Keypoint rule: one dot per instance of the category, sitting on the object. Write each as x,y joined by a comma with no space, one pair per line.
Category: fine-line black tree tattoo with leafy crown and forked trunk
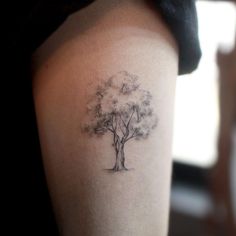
120,107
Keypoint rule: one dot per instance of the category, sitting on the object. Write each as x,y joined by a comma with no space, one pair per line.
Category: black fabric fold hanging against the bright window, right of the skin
181,18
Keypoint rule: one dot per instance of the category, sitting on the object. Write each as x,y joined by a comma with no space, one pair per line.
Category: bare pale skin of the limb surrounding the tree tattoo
92,45
